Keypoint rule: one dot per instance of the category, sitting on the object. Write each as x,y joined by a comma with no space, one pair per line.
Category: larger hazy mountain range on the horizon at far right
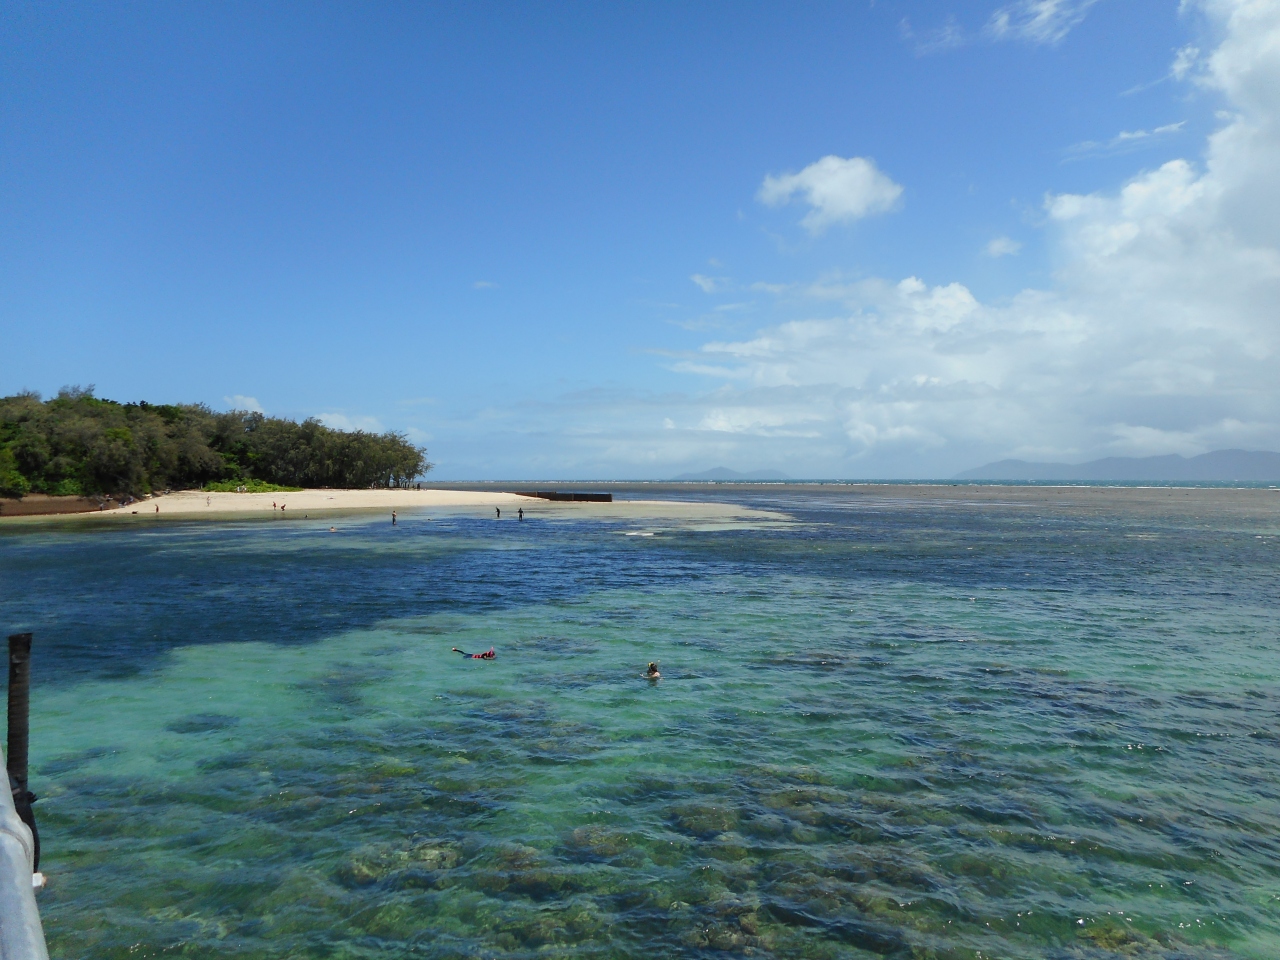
1219,467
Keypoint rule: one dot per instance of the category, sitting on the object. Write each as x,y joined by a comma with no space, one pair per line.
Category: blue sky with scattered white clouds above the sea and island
602,240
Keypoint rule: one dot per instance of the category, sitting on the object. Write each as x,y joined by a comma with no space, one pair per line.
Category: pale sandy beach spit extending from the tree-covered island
198,505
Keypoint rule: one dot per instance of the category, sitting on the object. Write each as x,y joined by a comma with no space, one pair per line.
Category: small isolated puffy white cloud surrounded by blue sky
836,190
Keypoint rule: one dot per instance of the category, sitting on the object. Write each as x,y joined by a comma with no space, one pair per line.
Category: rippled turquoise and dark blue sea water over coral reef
889,729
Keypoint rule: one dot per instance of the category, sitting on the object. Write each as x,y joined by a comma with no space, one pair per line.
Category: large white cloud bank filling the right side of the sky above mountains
1159,333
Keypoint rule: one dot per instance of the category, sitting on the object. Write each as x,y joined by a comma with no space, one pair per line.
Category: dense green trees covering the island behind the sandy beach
80,445
